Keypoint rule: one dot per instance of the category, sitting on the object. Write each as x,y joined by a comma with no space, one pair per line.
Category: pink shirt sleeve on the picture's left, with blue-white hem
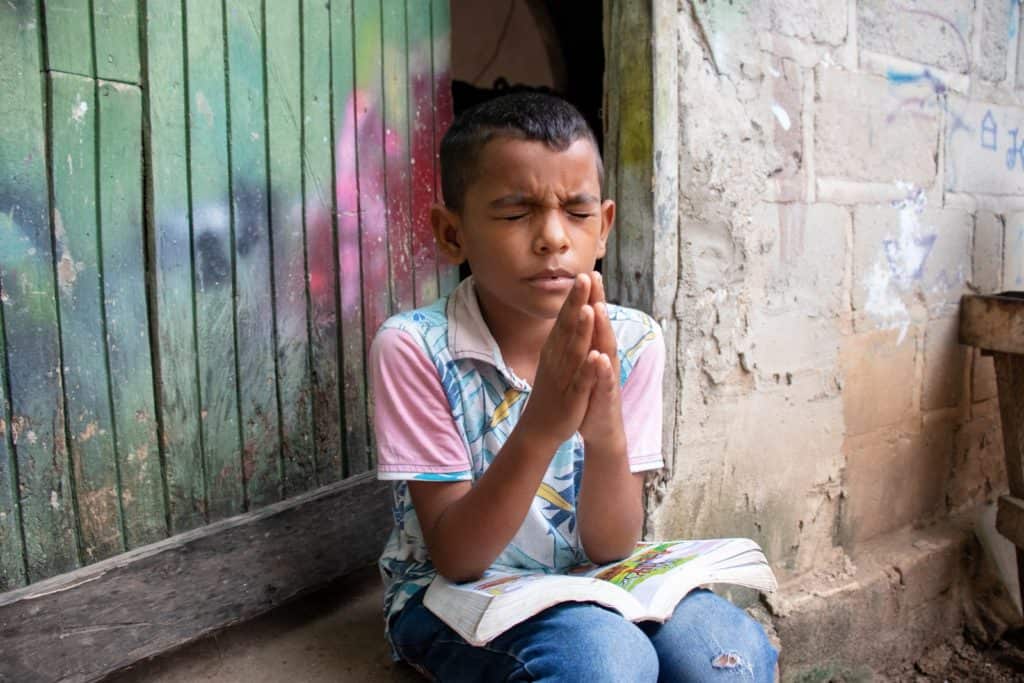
416,437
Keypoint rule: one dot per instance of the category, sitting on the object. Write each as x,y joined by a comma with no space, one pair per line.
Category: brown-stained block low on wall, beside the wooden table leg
979,473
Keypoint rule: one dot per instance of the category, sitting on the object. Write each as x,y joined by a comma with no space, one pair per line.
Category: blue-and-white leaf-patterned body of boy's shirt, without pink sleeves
487,400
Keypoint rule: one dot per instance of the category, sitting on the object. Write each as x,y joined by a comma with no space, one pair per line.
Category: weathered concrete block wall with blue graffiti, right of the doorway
848,170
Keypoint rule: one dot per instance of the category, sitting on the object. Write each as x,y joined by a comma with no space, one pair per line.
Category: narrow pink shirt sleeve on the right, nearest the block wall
643,409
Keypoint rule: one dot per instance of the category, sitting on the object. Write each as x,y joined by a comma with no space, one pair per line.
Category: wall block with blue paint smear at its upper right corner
869,131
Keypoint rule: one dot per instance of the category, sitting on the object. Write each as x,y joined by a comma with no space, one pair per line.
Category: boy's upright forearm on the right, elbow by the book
611,506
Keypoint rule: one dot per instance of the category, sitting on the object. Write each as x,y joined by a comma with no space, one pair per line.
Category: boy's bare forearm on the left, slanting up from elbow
471,532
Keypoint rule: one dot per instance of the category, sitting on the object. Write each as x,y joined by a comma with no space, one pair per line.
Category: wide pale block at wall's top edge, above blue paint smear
932,32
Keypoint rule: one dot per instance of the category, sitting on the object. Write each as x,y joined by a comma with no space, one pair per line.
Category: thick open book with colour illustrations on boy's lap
646,586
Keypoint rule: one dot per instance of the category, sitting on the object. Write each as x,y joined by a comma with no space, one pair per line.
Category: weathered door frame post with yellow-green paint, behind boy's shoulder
643,149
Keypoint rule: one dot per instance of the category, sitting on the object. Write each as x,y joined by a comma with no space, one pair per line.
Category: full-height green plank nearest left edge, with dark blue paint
29,302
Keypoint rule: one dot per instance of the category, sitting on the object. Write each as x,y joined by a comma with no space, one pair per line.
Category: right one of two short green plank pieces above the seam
116,26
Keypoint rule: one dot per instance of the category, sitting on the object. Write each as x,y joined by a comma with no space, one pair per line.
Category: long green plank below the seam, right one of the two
130,361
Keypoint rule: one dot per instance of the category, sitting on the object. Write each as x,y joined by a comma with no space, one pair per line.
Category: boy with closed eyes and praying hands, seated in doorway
518,418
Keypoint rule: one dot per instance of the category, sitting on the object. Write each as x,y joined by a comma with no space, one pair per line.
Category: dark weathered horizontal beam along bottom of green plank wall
86,625
